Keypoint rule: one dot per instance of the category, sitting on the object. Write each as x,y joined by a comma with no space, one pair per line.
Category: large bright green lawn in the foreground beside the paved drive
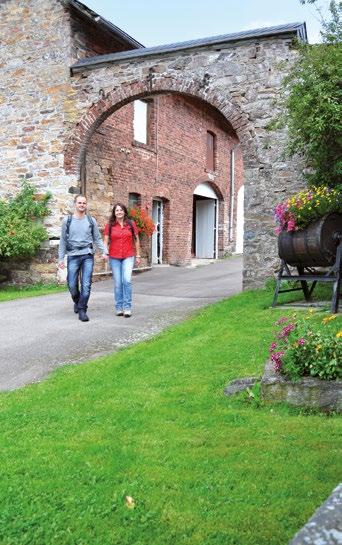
152,422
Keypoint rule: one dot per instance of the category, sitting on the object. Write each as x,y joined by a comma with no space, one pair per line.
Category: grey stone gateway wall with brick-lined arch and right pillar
242,81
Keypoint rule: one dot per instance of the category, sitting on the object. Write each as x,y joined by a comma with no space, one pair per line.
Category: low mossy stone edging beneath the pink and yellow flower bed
307,392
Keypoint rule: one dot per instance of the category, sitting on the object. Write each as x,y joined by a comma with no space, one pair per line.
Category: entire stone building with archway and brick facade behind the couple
178,129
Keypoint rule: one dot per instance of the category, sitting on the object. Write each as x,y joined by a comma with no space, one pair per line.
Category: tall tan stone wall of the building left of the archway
36,99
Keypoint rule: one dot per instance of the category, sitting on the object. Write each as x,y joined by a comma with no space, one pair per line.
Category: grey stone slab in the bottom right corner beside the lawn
325,526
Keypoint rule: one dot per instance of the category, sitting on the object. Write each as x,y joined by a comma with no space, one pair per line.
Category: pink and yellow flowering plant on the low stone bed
304,347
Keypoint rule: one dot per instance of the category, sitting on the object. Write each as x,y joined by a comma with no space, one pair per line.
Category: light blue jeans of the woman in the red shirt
122,274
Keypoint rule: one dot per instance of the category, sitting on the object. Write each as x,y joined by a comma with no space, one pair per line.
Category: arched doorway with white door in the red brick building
205,222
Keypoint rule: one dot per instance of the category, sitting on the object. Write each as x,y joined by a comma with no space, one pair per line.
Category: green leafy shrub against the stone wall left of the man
21,229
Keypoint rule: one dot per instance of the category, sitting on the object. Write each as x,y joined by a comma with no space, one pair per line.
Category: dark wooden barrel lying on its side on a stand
314,246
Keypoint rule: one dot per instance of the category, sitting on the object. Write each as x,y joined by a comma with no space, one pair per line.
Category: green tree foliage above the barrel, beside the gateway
314,104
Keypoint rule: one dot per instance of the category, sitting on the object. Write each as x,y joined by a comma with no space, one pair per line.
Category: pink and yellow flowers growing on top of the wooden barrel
307,206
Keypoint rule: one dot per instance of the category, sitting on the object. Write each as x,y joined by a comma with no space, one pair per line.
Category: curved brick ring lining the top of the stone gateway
77,146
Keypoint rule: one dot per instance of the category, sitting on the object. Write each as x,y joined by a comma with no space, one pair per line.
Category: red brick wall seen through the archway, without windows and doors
170,167
